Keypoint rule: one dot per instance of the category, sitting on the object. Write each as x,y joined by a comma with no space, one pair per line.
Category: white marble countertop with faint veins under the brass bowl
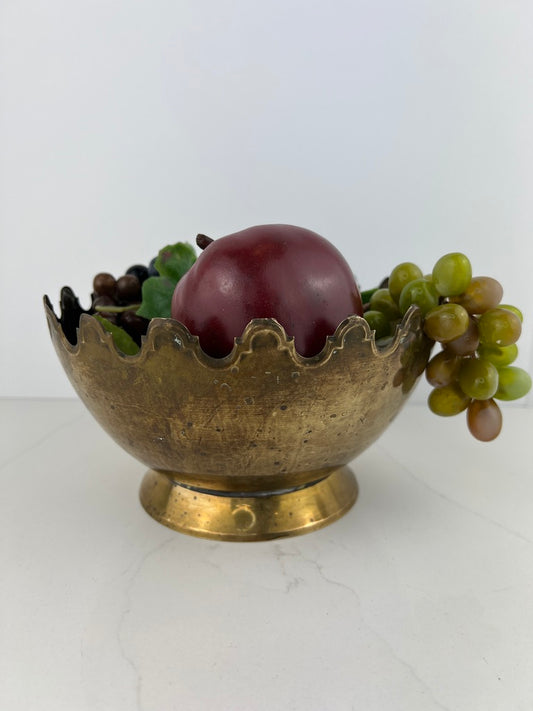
420,598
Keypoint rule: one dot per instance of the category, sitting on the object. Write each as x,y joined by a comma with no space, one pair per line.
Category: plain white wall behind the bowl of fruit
399,129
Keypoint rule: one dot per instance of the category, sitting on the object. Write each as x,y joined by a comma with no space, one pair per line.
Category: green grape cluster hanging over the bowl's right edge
476,332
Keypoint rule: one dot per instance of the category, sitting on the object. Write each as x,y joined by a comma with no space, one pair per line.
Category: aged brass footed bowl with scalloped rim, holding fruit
254,445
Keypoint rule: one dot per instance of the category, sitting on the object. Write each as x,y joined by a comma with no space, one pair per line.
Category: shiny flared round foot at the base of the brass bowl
249,516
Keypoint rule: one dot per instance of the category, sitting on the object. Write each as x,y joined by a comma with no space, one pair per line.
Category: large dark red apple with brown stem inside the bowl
270,271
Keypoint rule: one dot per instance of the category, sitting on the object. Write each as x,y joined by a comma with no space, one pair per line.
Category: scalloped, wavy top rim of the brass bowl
176,332
